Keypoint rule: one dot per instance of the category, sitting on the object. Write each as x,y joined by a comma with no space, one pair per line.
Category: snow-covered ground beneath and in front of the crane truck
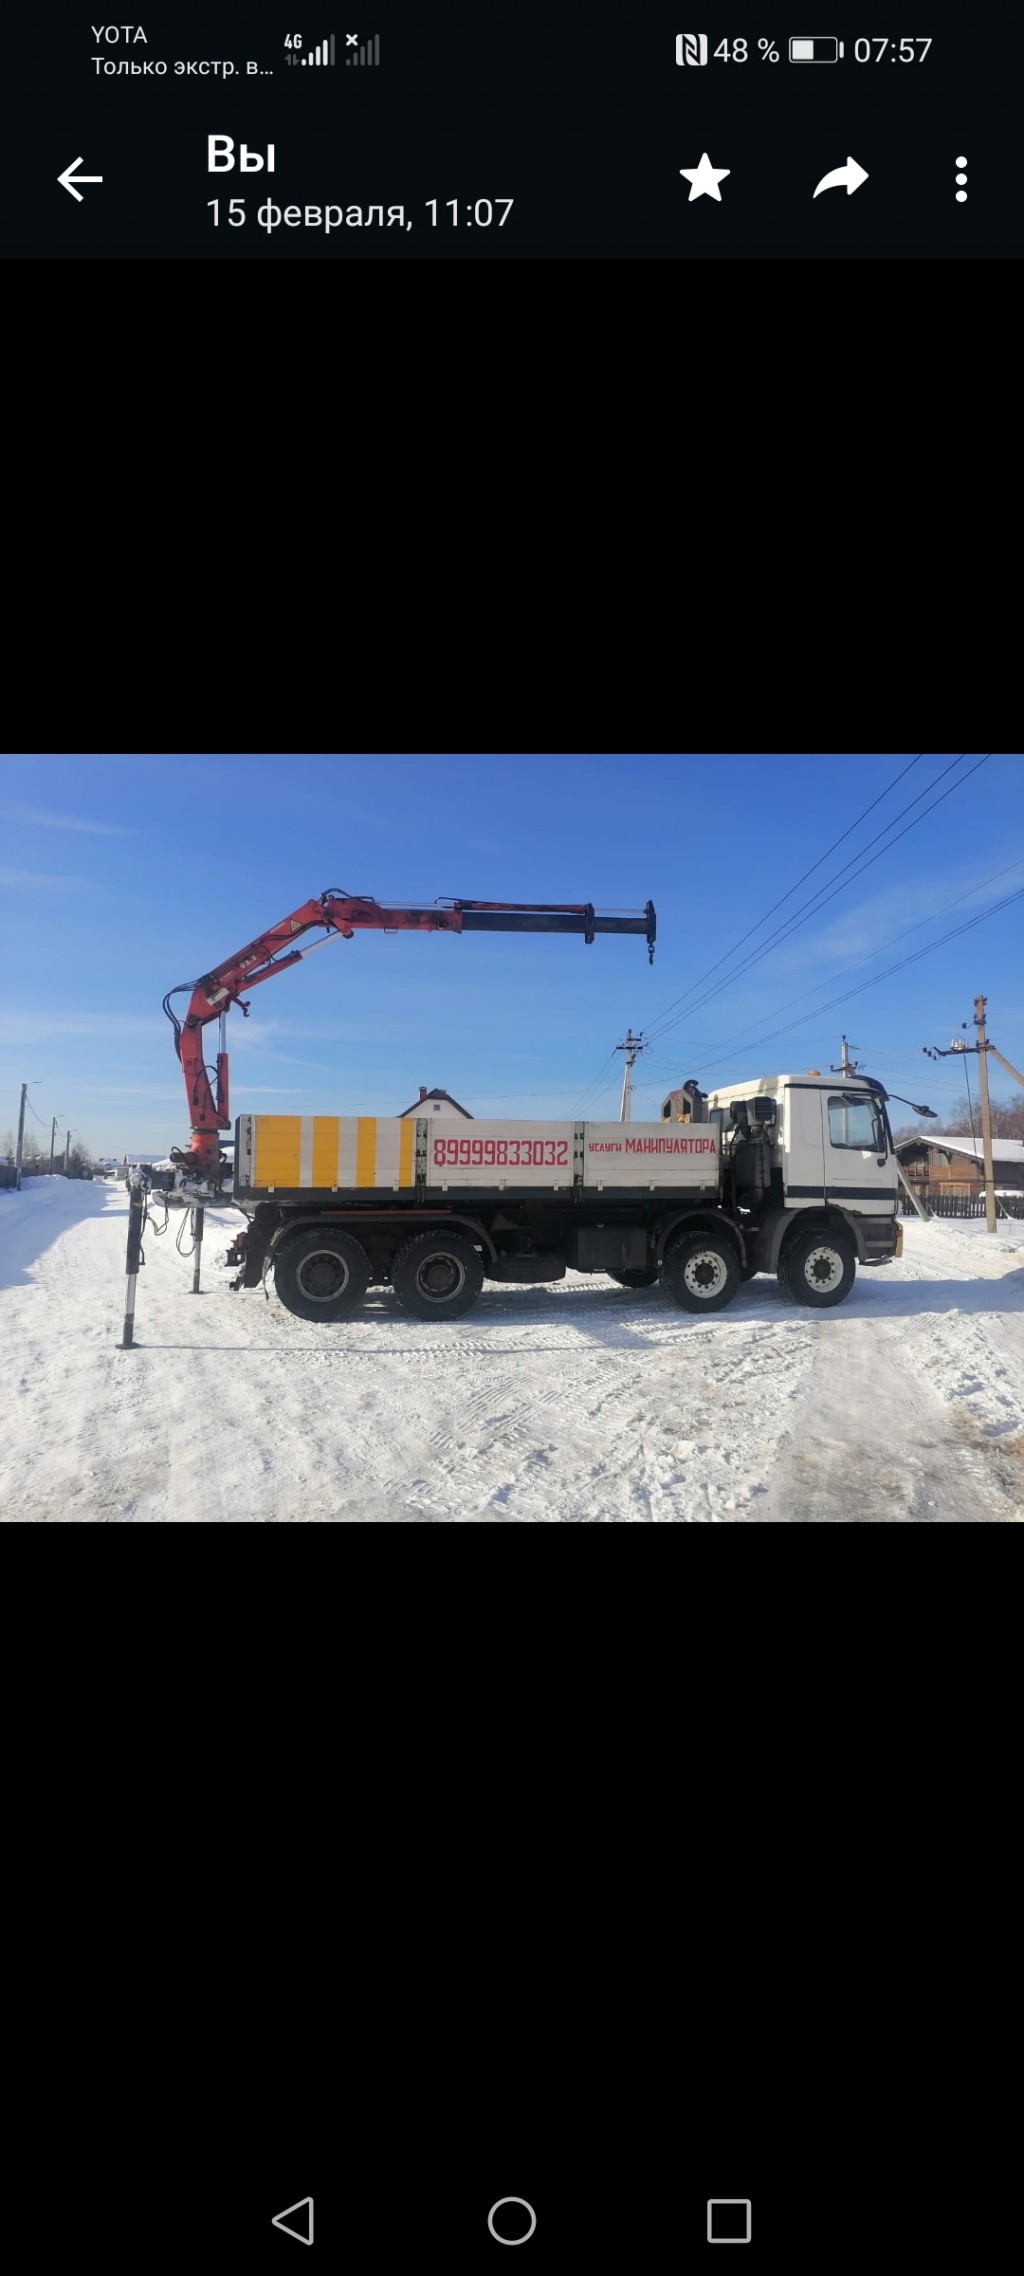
575,1403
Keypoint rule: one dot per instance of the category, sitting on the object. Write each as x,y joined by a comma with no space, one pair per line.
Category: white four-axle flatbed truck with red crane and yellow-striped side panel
791,1176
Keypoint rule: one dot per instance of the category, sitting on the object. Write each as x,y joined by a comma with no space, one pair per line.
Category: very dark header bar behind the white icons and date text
579,115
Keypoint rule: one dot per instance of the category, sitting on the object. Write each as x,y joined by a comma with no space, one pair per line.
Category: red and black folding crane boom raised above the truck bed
338,912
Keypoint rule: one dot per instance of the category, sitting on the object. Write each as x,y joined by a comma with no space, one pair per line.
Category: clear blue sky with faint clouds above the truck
122,877
